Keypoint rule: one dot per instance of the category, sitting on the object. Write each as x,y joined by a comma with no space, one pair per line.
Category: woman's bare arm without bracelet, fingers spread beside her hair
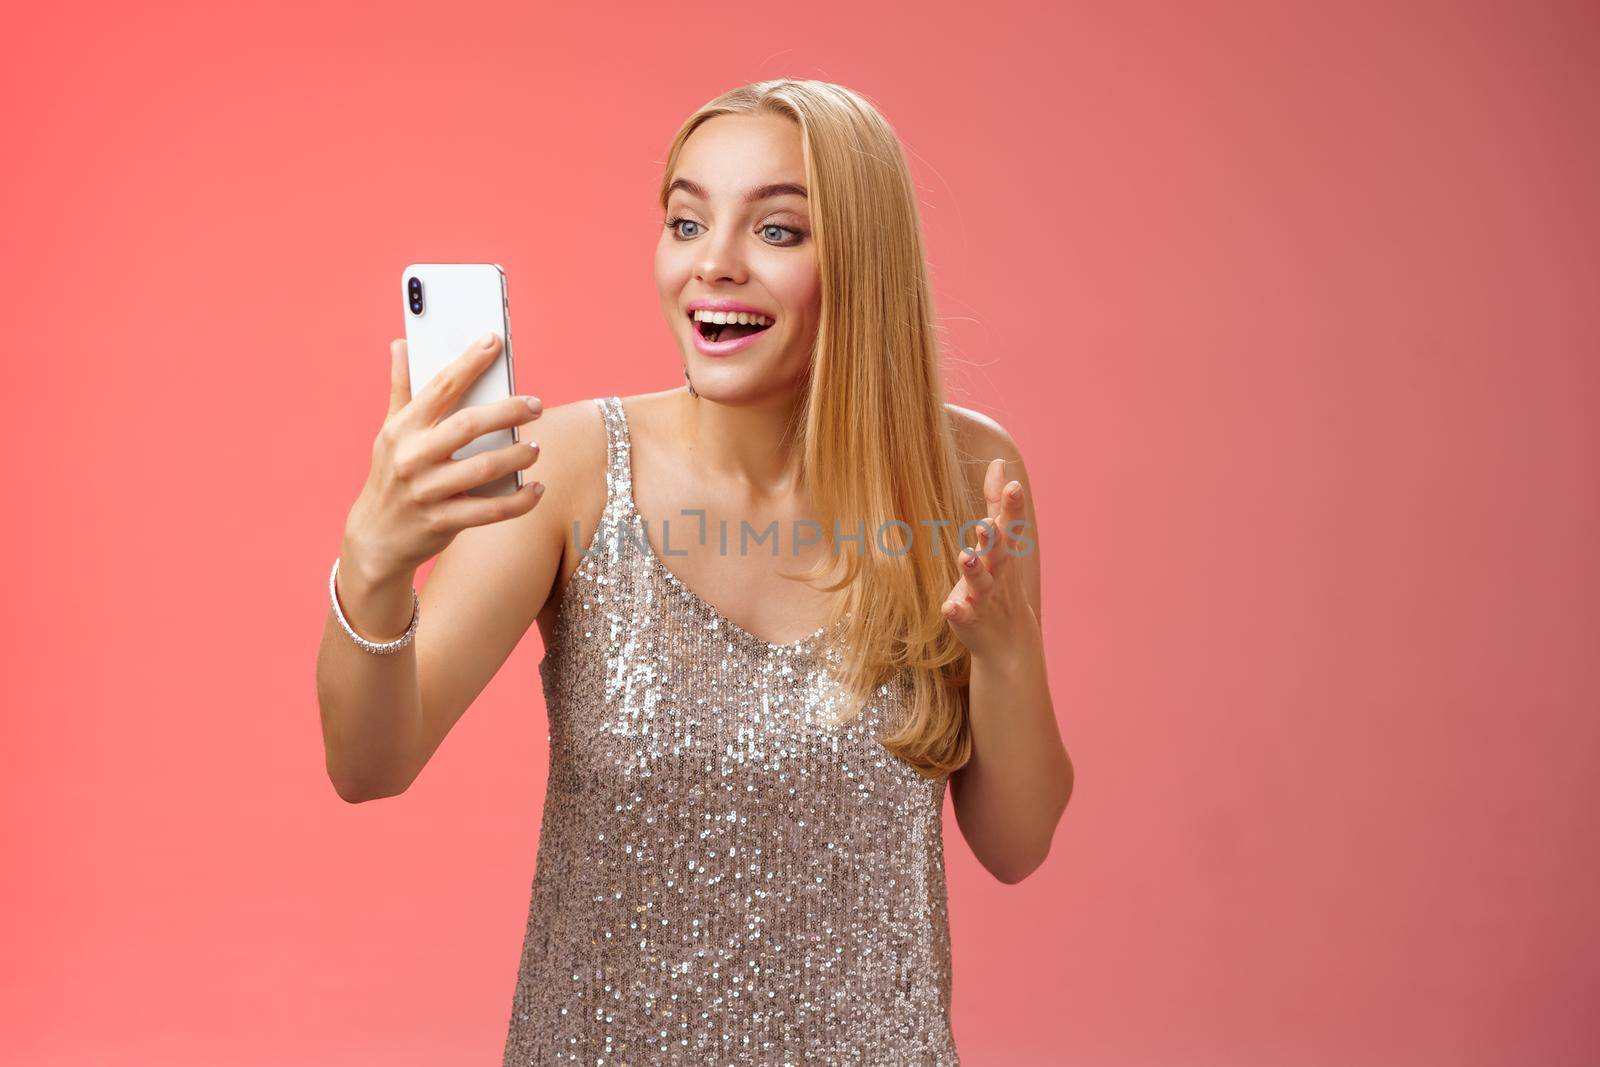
1014,791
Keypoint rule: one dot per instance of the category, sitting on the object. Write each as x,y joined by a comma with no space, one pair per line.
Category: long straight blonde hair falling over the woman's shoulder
878,442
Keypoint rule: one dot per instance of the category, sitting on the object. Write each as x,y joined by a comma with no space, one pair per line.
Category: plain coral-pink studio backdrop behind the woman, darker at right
1292,310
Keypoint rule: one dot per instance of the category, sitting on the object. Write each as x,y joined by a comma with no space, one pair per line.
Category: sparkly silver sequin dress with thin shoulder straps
724,876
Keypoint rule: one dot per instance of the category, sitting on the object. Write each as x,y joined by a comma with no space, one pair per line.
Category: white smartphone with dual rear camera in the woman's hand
449,306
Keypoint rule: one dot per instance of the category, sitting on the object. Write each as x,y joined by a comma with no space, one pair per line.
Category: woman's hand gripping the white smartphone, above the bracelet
415,500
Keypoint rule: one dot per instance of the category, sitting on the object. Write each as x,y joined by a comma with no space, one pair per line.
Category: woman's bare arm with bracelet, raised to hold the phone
383,717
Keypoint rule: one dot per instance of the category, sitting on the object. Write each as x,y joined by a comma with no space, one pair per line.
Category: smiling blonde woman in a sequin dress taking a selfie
767,650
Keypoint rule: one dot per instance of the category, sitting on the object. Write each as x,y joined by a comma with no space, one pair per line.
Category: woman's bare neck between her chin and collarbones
748,446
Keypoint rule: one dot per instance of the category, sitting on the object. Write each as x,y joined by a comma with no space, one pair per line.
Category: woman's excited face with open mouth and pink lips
719,246
